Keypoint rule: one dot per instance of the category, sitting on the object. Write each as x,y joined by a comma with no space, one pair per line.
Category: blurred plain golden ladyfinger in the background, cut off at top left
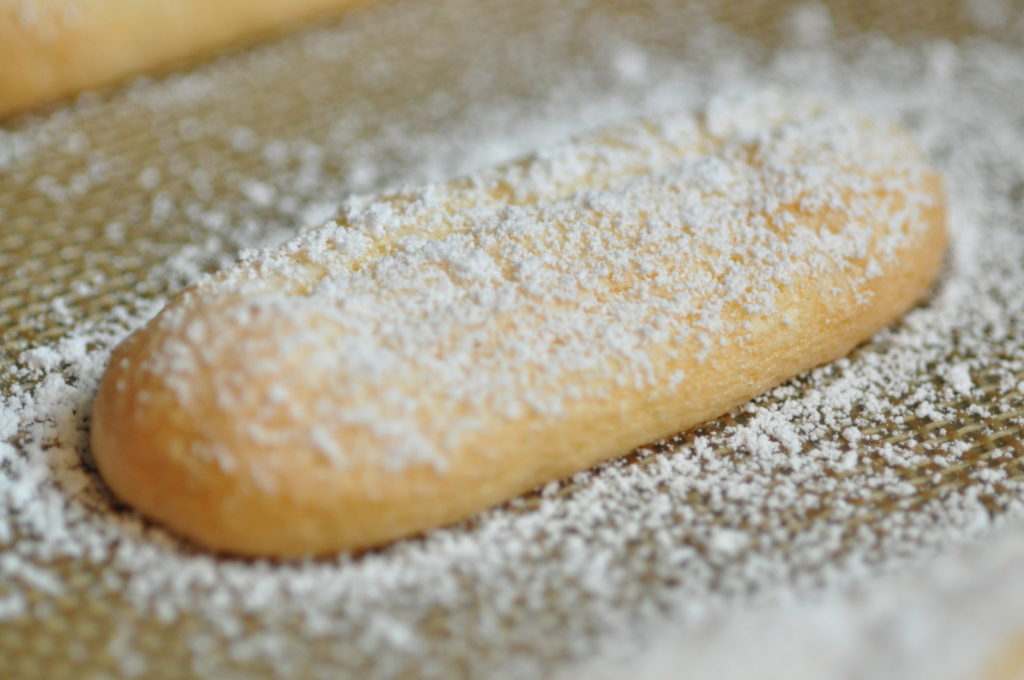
53,49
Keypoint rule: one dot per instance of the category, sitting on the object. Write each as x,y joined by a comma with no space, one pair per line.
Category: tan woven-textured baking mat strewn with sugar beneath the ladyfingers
113,202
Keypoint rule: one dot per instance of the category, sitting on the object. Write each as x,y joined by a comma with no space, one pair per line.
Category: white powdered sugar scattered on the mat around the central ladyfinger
833,480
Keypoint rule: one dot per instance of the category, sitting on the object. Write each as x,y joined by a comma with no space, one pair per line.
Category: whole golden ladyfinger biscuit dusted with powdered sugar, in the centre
433,353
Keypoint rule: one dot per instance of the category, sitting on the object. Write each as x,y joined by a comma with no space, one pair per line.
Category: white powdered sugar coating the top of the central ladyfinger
529,288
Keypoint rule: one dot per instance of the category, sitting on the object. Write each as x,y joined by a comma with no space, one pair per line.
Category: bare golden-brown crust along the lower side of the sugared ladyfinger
191,465
